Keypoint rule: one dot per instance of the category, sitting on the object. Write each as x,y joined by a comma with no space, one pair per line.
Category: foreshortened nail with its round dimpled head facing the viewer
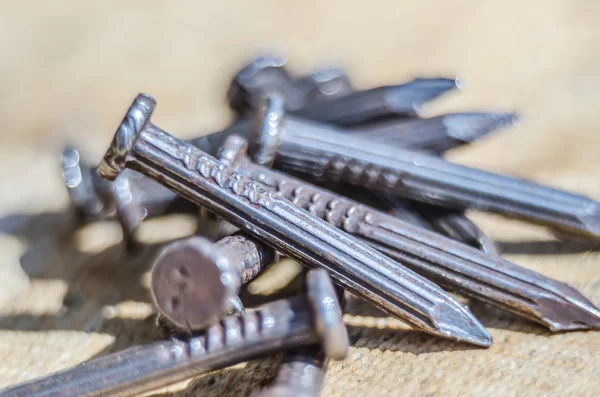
195,281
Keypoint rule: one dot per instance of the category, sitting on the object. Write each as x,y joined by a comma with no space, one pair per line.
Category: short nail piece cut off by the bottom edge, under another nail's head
301,374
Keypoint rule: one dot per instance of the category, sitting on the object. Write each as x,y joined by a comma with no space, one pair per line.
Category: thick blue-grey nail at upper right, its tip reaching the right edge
330,153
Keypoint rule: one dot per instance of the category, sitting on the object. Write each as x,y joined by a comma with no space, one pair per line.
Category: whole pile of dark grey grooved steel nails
349,183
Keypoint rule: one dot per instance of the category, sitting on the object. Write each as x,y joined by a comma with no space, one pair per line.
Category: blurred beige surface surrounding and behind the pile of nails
69,69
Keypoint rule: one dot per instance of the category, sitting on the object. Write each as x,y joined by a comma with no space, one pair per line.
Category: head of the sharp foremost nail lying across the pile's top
134,121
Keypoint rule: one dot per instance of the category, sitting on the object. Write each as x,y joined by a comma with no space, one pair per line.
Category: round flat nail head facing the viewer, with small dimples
192,283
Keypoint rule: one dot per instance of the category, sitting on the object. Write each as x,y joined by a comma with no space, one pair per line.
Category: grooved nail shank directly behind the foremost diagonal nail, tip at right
453,265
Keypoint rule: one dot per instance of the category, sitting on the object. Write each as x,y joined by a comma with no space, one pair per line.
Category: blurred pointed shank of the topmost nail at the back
360,106
